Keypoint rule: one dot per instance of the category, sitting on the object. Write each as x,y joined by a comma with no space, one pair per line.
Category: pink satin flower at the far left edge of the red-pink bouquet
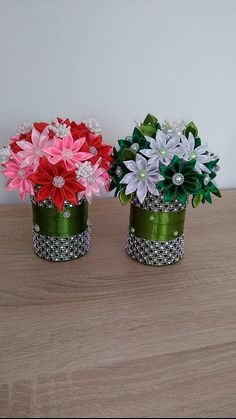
18,176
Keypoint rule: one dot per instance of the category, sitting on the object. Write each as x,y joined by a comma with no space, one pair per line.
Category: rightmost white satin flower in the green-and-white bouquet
199,153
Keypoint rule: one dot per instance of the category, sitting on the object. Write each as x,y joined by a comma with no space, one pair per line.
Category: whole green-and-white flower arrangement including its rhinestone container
157,169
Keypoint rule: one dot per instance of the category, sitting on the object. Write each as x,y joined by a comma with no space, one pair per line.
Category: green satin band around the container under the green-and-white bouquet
157,226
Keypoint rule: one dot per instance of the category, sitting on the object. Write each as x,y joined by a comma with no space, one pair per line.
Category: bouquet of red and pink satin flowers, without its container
61,160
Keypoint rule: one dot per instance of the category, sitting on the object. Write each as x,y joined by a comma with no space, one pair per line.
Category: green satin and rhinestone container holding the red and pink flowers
61,236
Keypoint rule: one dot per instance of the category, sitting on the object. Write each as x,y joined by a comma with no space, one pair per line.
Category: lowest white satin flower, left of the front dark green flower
142,178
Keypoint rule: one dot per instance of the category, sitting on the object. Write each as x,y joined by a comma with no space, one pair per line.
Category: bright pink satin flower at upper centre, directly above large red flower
67,149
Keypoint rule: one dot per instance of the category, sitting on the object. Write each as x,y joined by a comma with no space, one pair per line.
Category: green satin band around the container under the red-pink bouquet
53,223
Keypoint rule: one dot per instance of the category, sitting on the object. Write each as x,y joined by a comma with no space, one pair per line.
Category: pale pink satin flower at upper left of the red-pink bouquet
32,152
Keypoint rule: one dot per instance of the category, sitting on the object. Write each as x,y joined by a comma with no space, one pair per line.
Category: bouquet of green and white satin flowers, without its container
170,160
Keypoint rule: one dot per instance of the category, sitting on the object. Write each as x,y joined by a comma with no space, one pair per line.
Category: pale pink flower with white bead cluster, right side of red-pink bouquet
93,178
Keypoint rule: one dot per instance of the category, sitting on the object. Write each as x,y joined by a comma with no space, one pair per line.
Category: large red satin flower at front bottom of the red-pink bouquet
56,183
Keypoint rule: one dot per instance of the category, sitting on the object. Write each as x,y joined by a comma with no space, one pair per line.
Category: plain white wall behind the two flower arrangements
119,60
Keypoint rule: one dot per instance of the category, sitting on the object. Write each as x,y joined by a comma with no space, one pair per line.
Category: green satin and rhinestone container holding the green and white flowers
156,231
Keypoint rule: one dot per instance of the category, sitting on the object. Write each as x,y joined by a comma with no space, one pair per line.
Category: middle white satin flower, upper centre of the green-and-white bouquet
162,149
